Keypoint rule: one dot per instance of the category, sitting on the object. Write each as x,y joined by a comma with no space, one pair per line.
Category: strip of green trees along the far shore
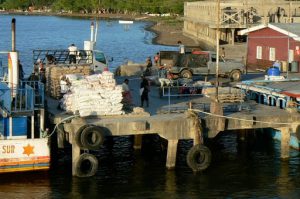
88,6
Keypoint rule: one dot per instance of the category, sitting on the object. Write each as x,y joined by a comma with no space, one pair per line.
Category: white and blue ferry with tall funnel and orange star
24,146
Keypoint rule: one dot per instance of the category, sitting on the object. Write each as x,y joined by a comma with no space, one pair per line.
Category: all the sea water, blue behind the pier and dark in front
249,169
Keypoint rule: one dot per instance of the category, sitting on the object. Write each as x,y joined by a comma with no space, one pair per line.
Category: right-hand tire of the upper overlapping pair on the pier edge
92,137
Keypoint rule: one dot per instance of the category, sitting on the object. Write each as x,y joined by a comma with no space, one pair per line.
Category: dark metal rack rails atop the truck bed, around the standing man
62,56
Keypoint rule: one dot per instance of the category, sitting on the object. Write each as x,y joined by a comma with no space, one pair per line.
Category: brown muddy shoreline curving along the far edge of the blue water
167,34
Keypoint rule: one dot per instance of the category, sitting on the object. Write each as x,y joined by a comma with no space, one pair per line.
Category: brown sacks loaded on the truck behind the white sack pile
54,74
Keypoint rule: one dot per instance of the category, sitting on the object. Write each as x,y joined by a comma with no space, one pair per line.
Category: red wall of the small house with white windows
268,38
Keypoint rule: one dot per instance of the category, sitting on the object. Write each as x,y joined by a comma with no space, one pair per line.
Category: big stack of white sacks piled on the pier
93,95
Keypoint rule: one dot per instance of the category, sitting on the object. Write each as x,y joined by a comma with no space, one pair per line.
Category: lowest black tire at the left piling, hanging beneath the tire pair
86,165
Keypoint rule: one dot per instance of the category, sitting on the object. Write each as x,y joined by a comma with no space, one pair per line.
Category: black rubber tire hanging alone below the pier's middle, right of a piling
198,158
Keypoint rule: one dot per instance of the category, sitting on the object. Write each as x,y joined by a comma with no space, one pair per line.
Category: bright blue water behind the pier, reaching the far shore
43,32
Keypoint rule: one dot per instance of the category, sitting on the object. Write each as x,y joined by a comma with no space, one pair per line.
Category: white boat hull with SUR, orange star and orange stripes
24,155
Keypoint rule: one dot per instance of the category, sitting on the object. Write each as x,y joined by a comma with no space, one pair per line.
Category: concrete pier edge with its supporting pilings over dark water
204,117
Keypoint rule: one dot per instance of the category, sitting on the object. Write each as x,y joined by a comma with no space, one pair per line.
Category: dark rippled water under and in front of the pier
248,169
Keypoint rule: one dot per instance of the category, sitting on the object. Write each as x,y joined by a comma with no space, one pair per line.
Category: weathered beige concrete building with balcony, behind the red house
200,18
